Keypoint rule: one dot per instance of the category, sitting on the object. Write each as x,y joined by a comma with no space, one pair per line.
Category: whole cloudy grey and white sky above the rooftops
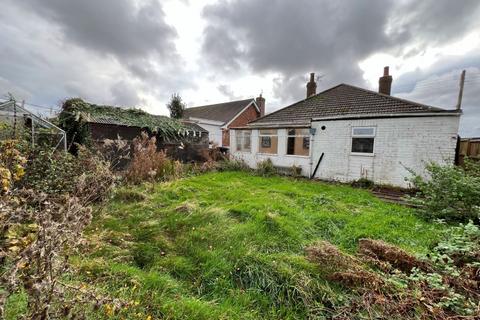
139,52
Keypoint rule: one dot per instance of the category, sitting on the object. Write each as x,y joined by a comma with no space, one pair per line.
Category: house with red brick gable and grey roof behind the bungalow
218,118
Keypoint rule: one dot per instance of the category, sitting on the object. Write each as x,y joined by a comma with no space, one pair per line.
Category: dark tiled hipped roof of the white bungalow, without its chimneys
343,100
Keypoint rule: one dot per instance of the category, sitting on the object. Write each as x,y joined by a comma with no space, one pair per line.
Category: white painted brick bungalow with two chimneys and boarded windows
346,133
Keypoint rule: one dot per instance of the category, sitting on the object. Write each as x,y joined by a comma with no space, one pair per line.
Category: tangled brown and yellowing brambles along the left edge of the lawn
42,218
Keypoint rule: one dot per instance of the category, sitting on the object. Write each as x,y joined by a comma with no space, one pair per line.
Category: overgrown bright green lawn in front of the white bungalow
231,245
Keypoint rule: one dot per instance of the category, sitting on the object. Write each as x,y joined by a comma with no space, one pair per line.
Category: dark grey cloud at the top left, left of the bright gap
117,27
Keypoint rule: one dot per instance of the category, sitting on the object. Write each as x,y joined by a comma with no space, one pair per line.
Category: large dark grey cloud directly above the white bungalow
298,36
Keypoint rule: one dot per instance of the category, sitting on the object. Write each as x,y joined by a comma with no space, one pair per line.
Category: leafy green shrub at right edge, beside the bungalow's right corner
449,193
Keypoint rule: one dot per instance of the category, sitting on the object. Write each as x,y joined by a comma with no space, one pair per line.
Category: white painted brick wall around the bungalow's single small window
400,144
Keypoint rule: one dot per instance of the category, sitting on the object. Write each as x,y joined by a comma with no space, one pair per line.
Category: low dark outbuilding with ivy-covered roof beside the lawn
92,125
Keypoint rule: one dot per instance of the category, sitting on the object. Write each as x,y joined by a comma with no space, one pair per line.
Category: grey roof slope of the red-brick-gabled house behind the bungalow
222,112
